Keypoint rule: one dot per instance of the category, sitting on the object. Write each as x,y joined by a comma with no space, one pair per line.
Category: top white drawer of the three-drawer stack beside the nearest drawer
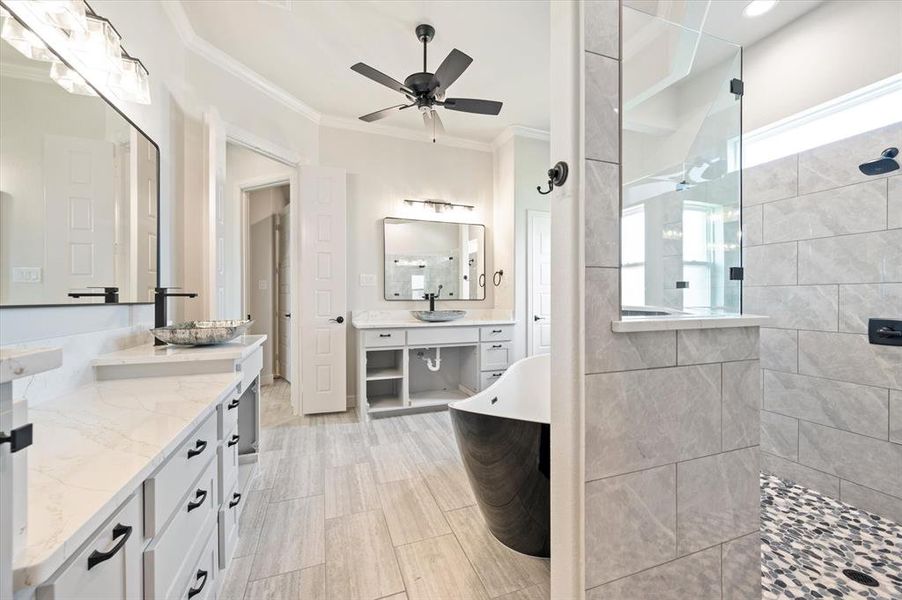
164,489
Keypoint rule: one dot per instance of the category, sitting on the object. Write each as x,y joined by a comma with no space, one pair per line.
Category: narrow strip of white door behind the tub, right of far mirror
539,282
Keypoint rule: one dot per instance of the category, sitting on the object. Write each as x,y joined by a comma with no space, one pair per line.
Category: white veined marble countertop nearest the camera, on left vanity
93,447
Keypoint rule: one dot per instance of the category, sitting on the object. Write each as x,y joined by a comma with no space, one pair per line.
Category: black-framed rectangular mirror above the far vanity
421,256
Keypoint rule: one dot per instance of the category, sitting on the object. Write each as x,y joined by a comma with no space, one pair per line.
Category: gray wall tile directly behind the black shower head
836,164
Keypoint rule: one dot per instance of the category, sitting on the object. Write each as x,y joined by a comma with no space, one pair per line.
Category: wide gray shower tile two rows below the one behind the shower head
860,258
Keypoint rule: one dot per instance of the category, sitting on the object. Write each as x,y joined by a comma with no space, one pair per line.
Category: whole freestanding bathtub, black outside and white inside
503,434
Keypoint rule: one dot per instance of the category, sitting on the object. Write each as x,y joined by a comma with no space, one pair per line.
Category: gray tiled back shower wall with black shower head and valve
823,250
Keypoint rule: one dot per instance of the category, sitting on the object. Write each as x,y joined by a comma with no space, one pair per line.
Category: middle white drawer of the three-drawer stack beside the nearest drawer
179,545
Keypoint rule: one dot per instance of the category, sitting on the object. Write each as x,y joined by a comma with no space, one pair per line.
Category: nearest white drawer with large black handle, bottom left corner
108,566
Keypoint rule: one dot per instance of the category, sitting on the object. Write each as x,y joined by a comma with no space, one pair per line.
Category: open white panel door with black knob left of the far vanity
323,289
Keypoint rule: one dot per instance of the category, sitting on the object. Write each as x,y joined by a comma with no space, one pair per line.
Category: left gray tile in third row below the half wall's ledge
630,523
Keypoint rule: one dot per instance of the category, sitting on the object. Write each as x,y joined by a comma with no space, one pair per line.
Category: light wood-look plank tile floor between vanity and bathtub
342,509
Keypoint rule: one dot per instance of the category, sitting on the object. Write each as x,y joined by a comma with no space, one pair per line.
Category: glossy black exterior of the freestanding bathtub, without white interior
508,464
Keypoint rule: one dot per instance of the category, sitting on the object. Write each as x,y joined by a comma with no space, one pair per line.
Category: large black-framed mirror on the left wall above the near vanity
79,188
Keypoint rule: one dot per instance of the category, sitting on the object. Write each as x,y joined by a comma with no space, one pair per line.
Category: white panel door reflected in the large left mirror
79,198
